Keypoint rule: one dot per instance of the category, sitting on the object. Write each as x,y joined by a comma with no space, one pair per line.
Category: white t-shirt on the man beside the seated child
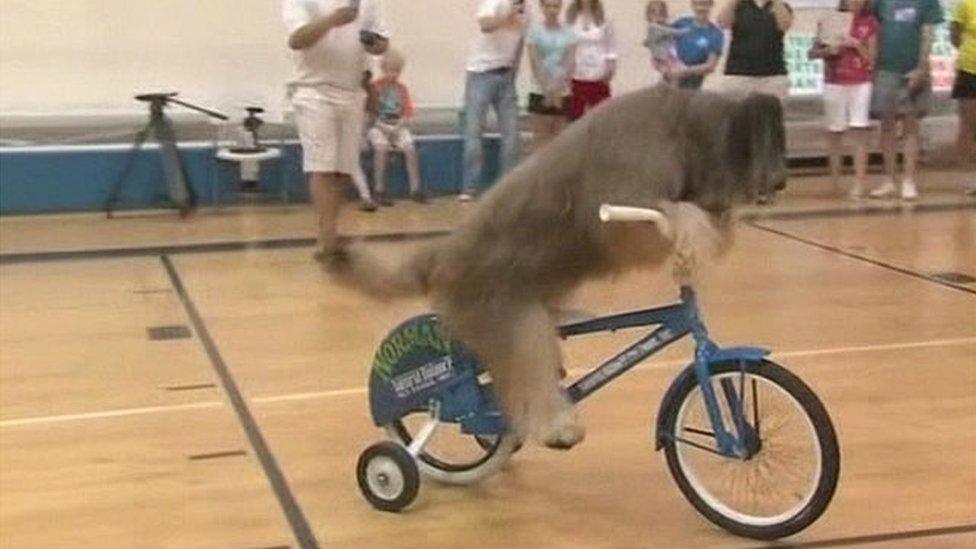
335,63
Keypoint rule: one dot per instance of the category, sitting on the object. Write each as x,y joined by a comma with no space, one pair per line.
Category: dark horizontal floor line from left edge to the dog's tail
208,247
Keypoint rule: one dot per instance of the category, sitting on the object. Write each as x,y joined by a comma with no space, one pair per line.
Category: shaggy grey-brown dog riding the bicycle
536,235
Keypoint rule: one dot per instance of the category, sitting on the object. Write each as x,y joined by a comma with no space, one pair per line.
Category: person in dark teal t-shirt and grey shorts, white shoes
902,85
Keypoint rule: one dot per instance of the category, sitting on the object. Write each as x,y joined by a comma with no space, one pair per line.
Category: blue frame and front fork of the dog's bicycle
675,322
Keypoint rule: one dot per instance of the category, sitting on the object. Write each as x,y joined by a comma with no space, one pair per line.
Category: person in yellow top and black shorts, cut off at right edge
962,33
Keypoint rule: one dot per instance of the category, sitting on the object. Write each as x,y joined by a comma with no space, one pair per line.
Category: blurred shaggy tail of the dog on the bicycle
404,273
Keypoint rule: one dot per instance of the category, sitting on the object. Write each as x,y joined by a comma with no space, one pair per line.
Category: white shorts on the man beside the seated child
330,129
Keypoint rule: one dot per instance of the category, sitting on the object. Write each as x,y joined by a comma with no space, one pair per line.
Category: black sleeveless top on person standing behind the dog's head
757,42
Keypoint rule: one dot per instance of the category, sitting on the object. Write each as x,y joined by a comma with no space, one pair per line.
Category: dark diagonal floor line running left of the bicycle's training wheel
296,518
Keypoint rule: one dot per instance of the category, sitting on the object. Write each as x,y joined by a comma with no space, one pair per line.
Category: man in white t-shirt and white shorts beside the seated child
330,40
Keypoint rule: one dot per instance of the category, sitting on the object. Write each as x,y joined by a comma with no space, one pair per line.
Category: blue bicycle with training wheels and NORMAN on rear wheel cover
748,443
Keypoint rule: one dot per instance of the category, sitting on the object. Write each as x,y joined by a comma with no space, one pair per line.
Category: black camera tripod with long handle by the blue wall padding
180,191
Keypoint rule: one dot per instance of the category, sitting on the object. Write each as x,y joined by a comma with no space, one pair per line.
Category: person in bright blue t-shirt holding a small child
700,47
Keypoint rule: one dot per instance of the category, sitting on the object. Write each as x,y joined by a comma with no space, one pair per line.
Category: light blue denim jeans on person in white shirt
481,90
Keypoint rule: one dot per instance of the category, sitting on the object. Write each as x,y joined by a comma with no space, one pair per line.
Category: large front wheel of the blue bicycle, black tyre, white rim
789,473
